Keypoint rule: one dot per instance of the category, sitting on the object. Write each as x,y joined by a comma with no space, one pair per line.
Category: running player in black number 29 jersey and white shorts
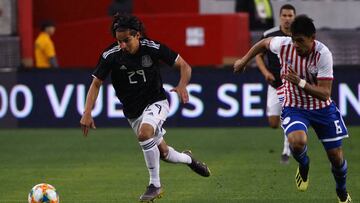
133,63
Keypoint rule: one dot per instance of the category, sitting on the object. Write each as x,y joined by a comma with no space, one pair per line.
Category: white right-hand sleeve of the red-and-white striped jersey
325,66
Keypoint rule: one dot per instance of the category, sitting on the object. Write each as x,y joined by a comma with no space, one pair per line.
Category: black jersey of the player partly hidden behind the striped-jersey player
273,63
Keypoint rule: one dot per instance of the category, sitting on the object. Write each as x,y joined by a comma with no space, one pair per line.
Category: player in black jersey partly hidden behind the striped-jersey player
271,72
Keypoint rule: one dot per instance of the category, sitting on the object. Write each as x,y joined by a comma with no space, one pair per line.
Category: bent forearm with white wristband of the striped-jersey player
322,90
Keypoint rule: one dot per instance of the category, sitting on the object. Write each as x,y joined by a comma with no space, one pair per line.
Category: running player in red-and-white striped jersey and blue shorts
307,74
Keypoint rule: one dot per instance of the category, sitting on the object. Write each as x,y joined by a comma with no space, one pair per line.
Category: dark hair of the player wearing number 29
124,22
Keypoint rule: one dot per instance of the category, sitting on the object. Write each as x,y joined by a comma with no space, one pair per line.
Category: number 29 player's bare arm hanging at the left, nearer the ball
87,121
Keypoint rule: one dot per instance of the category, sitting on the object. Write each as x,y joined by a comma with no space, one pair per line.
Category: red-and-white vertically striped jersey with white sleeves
316,66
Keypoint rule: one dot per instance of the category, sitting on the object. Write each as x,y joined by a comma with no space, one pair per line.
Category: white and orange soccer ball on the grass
43,193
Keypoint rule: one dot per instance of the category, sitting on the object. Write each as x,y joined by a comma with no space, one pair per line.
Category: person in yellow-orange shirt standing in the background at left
45,56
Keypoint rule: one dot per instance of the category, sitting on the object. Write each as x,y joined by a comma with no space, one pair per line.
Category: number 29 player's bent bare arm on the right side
185,75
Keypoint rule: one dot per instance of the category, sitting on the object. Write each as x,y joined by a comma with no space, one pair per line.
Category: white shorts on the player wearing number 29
154,115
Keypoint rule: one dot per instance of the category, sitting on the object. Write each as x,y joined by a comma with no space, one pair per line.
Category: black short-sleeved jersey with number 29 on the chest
136,78
